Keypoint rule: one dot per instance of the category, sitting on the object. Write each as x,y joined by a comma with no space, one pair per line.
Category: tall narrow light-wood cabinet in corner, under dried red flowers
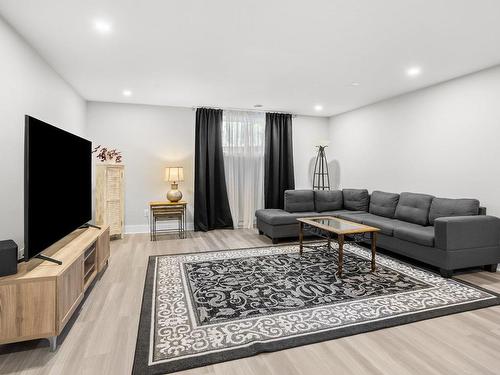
109,207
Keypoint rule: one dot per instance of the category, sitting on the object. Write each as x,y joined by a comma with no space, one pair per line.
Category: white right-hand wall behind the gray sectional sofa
443,140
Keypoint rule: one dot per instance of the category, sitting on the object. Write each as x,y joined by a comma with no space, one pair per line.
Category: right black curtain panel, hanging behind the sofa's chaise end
278,169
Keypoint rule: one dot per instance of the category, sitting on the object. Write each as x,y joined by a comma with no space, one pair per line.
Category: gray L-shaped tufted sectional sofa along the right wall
447,233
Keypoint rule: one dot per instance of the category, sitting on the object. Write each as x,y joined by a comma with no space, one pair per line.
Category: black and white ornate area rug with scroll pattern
203,308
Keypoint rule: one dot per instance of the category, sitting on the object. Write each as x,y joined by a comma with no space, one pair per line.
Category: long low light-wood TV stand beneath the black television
40,299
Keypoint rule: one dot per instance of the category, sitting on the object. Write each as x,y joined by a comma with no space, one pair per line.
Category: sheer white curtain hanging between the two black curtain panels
243,146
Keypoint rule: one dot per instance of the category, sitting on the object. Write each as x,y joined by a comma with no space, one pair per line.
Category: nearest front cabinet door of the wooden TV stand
69,291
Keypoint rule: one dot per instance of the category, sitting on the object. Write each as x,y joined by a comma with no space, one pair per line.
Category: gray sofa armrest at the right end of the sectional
463,232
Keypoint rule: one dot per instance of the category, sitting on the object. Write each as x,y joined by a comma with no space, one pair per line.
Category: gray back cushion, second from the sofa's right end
414,208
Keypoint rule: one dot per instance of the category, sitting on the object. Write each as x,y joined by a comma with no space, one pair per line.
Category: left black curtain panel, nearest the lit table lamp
211,205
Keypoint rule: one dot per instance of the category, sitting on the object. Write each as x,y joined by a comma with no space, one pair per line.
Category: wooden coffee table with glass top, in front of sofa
326,225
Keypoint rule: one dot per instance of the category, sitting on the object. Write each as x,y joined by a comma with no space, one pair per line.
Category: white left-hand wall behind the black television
27,86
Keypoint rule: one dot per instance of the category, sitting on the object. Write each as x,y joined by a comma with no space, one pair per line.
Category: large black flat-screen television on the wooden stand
57,185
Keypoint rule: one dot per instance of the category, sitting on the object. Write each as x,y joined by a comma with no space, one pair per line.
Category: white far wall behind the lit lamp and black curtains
153,137
